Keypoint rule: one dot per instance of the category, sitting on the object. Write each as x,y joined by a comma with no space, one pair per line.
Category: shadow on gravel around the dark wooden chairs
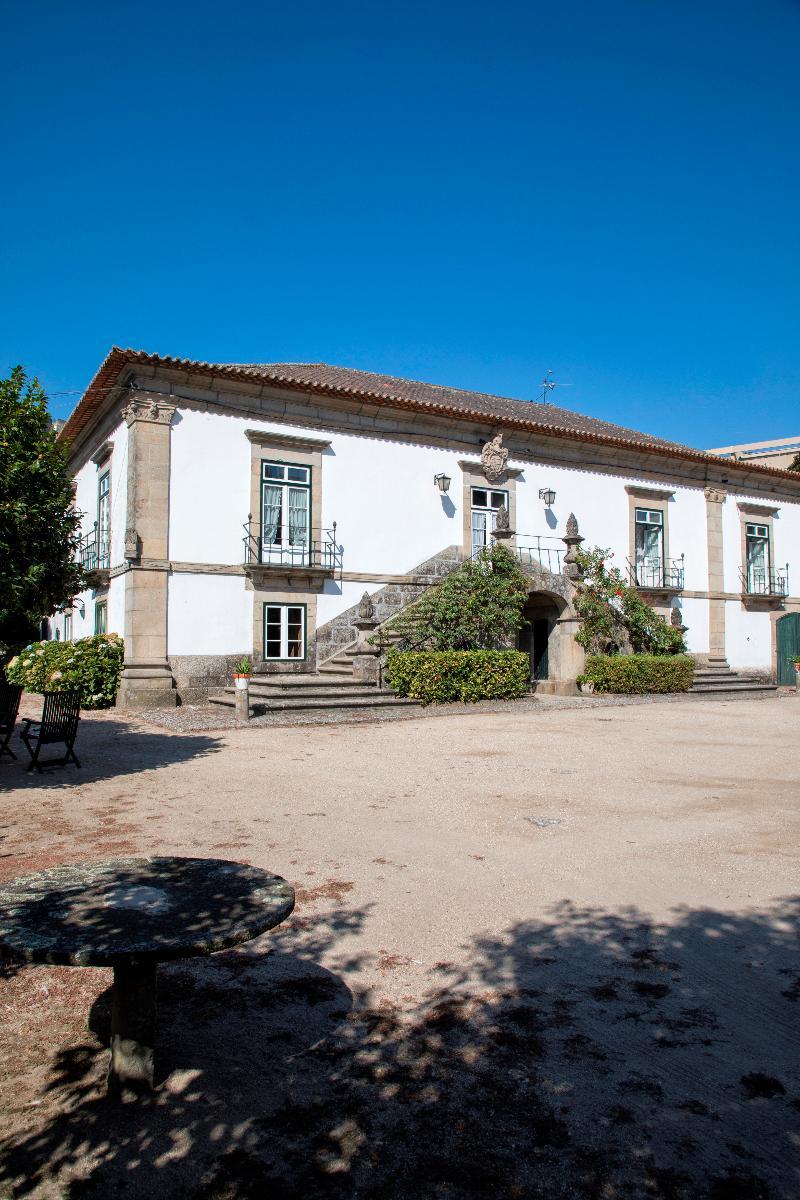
107,748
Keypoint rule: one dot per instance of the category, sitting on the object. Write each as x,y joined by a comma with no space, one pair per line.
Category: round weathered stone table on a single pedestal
130,915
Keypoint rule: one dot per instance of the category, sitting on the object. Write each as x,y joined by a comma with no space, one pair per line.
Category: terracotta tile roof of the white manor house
502,412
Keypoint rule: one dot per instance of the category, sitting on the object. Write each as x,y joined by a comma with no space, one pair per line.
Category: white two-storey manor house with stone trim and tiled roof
245,509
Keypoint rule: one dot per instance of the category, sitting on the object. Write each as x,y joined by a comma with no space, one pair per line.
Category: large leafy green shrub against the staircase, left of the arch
477,608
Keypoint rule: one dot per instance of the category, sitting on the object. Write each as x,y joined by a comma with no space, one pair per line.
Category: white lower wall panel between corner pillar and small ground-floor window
209,615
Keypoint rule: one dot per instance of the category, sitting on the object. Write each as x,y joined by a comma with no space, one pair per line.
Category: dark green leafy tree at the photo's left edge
39,527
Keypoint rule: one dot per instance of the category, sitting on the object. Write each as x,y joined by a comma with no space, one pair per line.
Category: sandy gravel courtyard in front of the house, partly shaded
537,952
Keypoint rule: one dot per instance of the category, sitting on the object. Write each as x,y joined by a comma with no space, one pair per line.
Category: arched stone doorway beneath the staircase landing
549,639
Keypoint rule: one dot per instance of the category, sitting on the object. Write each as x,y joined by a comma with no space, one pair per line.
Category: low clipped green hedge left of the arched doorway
437,677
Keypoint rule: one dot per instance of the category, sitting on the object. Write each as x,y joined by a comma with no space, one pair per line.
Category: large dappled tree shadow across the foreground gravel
592,1055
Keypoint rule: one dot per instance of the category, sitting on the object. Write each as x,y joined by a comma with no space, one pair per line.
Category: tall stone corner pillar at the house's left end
147,676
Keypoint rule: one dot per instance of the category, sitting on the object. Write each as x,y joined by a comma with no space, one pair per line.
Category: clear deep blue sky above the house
468,194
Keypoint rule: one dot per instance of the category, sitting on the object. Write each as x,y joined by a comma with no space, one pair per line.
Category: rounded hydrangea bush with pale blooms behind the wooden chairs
92,667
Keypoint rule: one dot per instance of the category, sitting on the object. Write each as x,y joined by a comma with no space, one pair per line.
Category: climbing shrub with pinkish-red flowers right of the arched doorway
613,614
